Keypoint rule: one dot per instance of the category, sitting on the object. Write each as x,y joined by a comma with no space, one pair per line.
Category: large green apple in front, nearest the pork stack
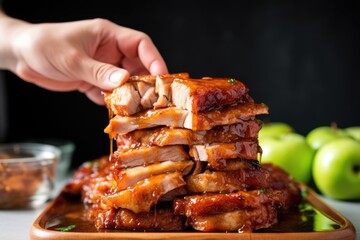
291,152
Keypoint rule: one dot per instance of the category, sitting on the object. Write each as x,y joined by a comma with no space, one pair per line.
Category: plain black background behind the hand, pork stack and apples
301,58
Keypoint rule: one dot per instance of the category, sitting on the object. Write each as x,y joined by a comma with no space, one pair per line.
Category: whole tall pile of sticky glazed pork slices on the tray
187,158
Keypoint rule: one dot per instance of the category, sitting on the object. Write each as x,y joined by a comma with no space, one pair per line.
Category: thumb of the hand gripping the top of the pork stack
103,75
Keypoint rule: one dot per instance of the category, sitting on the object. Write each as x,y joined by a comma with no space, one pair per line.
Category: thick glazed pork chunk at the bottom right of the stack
243,210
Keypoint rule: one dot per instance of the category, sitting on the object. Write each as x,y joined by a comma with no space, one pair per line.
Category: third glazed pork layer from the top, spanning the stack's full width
164,136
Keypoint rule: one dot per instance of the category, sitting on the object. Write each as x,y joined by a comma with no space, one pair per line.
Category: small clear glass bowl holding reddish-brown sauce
27,174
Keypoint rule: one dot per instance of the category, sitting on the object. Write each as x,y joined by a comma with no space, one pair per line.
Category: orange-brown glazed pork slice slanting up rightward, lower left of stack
146,193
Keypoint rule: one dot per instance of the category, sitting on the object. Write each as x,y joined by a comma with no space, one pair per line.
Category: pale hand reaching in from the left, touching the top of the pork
88,55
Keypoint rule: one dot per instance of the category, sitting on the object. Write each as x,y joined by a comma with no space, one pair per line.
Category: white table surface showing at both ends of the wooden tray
15,224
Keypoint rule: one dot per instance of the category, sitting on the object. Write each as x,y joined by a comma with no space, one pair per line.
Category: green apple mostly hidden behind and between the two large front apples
319,136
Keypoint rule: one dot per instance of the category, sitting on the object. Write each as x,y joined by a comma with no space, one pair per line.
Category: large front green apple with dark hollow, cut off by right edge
336,169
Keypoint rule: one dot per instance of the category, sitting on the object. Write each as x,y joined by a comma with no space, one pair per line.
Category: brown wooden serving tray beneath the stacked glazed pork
315,220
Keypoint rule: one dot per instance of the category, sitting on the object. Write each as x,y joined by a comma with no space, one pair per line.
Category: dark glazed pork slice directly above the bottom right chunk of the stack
228,181
